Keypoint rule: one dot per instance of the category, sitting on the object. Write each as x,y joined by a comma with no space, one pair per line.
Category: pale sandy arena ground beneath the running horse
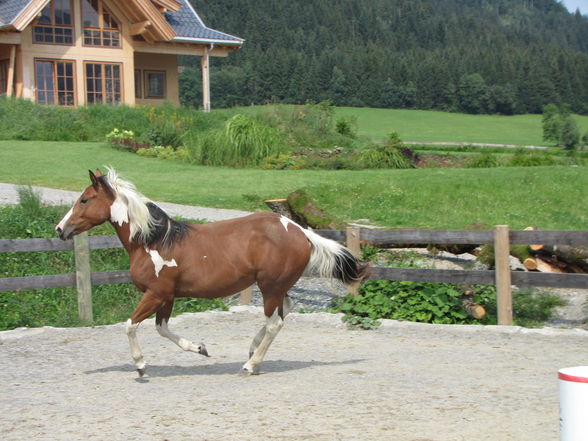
320,381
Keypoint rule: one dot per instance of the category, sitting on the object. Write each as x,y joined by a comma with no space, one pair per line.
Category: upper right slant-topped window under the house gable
100,27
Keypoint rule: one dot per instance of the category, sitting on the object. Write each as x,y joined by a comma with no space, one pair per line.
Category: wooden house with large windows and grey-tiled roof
78,52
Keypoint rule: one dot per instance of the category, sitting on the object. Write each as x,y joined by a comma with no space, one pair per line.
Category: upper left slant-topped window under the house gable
54,24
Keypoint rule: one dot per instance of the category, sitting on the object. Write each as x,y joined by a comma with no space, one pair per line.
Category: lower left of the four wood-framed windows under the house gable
54,80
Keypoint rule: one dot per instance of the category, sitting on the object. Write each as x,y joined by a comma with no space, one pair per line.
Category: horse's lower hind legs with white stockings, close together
267,334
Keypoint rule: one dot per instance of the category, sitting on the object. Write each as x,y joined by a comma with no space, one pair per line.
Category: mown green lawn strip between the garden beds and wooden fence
549,197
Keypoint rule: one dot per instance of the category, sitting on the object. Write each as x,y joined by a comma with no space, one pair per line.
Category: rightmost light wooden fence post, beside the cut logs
503,276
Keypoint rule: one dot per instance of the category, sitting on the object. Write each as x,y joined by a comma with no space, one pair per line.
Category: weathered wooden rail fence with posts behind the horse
502,277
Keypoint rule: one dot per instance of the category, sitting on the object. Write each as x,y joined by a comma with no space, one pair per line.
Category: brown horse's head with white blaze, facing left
92,208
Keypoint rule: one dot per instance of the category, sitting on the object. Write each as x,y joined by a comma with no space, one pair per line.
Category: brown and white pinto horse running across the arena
170,259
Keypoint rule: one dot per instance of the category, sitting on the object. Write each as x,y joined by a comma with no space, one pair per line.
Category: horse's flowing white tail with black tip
331,259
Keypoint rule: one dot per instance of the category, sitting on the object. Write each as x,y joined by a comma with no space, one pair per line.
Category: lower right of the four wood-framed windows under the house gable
103,83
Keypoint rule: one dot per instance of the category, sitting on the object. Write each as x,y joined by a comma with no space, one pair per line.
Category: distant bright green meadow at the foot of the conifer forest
433,126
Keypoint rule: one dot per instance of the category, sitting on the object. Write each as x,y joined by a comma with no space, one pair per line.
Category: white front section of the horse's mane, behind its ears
129,206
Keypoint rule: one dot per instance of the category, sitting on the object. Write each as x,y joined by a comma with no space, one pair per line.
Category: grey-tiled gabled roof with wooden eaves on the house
179,22
